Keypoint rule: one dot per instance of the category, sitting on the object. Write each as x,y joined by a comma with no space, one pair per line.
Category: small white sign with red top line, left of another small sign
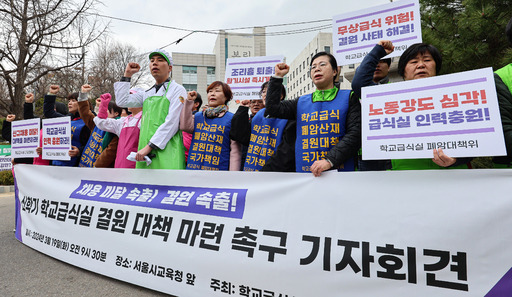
25,138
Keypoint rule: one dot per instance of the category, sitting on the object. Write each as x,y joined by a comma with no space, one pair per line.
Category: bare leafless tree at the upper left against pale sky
37,37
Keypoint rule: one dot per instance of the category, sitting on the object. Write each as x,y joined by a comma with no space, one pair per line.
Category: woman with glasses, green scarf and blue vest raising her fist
317,148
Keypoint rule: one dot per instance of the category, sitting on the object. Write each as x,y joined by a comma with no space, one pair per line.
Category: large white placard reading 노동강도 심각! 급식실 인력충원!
458,113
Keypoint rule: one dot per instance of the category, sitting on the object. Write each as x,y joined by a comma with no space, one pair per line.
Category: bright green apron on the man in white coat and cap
154,112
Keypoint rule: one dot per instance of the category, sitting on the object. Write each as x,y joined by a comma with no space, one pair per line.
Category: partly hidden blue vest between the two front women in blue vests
266,135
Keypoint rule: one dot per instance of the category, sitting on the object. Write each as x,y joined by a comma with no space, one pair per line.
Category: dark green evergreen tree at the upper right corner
469,33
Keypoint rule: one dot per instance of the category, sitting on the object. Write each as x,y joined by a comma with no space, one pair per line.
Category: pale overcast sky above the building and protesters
213,15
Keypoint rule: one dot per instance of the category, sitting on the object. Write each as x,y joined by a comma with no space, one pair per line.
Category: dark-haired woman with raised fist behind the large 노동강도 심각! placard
419,61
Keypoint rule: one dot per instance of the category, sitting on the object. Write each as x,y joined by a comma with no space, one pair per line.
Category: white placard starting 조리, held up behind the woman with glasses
246,75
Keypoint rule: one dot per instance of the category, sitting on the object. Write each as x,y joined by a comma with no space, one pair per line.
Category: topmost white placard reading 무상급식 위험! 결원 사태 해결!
356,33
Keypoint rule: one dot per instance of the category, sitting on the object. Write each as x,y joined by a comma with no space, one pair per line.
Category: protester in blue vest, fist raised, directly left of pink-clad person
96,153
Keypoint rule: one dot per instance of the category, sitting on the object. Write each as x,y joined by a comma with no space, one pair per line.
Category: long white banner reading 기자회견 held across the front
203,233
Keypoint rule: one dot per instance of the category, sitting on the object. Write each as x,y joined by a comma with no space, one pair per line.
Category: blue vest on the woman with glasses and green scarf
320,126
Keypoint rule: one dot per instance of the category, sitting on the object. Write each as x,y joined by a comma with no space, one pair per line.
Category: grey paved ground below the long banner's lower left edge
26,272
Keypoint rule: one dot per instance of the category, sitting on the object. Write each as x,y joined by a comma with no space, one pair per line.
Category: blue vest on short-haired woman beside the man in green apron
211,146
